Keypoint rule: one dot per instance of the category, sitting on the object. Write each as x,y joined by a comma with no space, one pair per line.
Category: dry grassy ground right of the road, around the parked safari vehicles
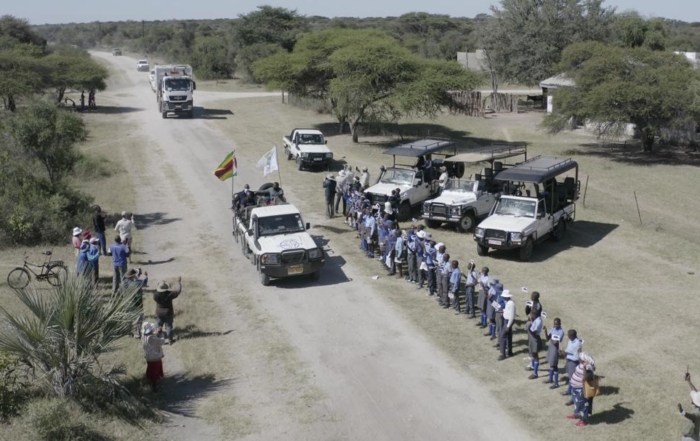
628,288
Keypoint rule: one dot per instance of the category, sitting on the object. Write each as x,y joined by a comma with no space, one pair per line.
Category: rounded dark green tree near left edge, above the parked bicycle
49,136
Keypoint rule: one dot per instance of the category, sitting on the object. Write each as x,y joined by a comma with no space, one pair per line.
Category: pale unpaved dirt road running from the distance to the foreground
379,378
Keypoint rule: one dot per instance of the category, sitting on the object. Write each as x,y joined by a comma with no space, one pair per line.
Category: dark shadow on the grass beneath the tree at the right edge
631,153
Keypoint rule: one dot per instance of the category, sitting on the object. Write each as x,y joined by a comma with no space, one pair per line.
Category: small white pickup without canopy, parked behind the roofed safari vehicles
308,148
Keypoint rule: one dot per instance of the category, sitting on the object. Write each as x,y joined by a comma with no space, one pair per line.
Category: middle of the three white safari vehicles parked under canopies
462,202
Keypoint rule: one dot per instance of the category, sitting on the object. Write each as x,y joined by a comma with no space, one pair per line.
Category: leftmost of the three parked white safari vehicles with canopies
416,180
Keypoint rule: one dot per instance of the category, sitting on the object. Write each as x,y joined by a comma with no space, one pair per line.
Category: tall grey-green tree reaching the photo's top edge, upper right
525,38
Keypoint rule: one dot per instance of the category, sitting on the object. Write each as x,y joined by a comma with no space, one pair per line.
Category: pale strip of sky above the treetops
67,11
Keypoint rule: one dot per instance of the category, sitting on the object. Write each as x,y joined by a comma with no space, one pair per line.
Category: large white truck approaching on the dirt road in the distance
174,89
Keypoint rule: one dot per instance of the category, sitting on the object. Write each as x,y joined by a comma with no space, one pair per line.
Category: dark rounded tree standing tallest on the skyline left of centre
268,24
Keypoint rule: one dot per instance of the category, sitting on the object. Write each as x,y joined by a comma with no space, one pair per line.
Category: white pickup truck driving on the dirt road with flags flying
275,240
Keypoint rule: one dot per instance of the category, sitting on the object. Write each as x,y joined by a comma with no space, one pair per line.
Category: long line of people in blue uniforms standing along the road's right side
478,295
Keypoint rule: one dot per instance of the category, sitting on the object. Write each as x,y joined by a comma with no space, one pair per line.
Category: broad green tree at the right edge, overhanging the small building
617,86
